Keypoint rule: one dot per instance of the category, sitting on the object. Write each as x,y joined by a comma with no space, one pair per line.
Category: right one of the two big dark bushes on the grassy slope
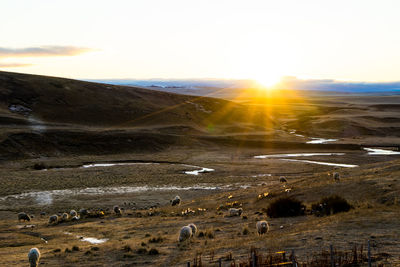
330,205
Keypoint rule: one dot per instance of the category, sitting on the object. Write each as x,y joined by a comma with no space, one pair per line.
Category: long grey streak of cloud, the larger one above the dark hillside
42,51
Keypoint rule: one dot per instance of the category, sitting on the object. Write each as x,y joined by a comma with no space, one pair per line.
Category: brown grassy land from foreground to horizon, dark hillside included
162,135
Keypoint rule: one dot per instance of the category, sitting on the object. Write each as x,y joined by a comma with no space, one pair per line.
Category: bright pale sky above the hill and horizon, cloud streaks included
263,40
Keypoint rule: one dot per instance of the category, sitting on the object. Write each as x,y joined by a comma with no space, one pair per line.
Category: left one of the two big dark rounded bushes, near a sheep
286,207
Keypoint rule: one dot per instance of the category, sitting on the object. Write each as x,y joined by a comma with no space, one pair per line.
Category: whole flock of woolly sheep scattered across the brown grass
186,233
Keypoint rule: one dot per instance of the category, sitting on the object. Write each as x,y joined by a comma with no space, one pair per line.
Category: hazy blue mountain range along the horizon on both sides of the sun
230,87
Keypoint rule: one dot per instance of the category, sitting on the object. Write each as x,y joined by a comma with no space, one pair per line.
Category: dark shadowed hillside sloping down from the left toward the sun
42,116
